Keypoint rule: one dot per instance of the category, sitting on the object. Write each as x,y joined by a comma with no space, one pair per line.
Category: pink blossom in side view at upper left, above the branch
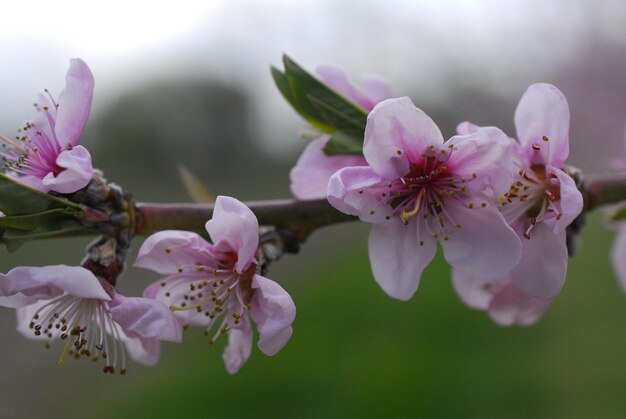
46,155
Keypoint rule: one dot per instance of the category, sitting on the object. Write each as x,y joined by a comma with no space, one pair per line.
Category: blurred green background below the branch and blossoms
357,353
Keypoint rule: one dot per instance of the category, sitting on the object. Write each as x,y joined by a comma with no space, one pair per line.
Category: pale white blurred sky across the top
429,49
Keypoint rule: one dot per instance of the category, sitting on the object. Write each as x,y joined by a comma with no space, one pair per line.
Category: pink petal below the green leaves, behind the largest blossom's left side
310,175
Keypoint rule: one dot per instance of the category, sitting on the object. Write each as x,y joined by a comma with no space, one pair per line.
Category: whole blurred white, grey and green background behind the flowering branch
204,98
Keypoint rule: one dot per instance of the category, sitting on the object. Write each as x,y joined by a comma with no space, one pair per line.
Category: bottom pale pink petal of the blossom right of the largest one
542,270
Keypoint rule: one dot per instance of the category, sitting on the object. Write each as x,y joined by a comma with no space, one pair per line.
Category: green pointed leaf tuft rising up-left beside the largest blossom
320,105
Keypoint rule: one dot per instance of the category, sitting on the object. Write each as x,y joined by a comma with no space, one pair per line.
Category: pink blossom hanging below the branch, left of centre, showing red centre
216,285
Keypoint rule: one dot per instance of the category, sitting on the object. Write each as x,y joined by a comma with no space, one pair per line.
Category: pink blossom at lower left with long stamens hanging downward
71,304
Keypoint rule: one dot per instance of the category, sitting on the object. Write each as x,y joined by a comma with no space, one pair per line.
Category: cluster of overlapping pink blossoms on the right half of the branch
498,206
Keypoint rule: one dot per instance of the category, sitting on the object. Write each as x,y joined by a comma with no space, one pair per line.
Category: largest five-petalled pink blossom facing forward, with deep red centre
418,190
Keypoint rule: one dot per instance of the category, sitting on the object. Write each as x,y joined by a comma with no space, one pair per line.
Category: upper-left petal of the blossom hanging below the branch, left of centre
166,251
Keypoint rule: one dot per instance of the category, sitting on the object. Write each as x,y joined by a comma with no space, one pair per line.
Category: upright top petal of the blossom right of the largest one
543,111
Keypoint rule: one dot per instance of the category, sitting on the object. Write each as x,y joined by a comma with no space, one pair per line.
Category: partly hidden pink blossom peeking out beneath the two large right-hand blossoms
505,303
